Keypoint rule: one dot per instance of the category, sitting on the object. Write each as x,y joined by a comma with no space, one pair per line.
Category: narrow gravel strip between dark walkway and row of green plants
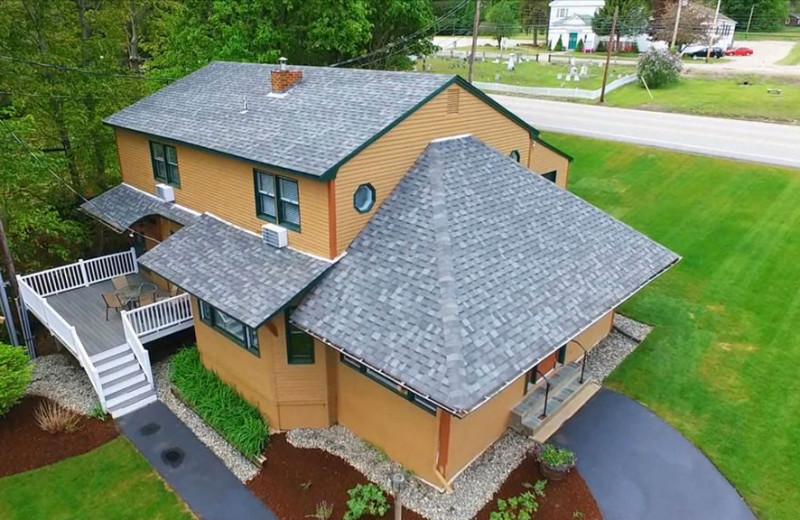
230,456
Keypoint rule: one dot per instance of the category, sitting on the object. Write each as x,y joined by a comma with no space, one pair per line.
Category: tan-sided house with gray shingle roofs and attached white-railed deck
393,252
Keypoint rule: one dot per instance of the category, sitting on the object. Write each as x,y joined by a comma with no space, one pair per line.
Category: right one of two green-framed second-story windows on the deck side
278,200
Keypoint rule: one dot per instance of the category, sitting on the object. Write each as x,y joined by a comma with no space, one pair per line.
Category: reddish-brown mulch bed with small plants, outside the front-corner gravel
294,480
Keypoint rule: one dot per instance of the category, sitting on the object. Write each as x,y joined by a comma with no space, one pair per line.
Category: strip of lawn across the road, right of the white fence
723,97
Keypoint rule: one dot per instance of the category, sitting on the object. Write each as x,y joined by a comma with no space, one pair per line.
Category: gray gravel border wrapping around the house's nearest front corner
471,490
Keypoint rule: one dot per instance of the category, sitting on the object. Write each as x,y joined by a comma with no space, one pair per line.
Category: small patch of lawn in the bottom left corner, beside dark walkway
111,482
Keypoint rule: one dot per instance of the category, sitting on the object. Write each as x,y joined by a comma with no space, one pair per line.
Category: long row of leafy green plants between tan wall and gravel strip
218,404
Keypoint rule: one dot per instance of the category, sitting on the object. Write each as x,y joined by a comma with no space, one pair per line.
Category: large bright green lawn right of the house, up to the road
722,362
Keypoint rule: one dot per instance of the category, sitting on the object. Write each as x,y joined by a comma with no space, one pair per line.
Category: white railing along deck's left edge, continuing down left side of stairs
62,330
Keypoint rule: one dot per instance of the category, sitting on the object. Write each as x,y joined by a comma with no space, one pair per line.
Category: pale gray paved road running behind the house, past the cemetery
744,140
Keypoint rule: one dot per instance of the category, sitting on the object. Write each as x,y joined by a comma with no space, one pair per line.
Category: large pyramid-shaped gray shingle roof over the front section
472,271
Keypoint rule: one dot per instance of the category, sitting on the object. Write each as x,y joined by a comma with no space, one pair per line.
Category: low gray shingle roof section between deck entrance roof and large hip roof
233,269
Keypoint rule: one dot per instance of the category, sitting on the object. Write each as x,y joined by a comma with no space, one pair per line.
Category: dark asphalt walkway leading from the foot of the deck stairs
200,478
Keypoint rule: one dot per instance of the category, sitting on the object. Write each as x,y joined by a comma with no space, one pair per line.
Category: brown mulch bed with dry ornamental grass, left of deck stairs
25,446
